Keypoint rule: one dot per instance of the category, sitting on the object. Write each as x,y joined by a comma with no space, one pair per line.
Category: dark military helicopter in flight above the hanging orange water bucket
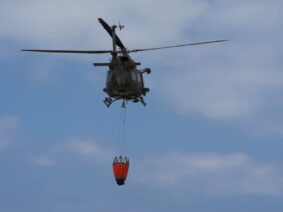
124,80
